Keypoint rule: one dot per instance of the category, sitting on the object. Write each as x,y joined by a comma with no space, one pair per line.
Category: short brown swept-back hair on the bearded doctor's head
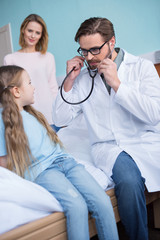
96,25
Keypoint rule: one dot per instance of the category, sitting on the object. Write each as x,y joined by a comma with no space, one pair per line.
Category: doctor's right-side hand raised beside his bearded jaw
109,70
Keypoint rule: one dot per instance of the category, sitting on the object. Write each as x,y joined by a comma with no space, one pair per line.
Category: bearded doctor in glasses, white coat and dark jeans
123,118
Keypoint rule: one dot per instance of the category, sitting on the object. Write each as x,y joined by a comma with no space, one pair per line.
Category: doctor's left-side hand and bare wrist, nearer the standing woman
77,64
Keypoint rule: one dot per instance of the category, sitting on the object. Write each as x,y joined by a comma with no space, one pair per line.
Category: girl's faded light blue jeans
79,193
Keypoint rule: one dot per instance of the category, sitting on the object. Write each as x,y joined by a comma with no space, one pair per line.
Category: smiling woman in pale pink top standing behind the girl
39,63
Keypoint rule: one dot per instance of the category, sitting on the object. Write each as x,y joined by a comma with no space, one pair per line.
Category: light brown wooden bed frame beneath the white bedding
53,227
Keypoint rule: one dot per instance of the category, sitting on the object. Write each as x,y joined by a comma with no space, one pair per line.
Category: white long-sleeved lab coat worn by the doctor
128,120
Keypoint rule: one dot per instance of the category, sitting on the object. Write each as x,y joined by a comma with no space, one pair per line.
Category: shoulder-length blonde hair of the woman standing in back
42,44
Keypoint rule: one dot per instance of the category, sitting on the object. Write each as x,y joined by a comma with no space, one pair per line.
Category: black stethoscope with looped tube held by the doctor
92,74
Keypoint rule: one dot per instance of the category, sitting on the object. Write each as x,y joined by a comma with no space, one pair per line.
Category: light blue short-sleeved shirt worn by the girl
44,151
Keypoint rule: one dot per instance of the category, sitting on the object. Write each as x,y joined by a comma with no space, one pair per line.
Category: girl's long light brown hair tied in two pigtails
18,152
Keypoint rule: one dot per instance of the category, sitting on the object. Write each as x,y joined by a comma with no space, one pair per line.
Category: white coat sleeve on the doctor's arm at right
142,98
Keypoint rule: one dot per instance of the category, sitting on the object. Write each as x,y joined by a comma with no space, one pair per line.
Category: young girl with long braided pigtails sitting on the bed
29,147
